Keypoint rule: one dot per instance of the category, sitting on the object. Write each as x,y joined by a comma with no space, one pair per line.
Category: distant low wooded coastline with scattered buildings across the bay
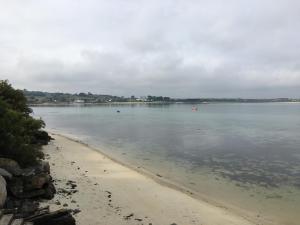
40,98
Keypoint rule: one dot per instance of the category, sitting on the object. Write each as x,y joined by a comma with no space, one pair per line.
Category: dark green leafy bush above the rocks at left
18,130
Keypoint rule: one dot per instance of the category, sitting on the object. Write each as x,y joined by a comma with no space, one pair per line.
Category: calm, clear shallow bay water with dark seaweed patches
244,155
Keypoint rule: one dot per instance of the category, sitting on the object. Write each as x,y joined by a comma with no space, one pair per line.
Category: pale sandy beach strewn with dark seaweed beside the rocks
112,194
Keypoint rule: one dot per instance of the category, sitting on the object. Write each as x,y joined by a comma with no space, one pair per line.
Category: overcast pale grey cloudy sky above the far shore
176,48
